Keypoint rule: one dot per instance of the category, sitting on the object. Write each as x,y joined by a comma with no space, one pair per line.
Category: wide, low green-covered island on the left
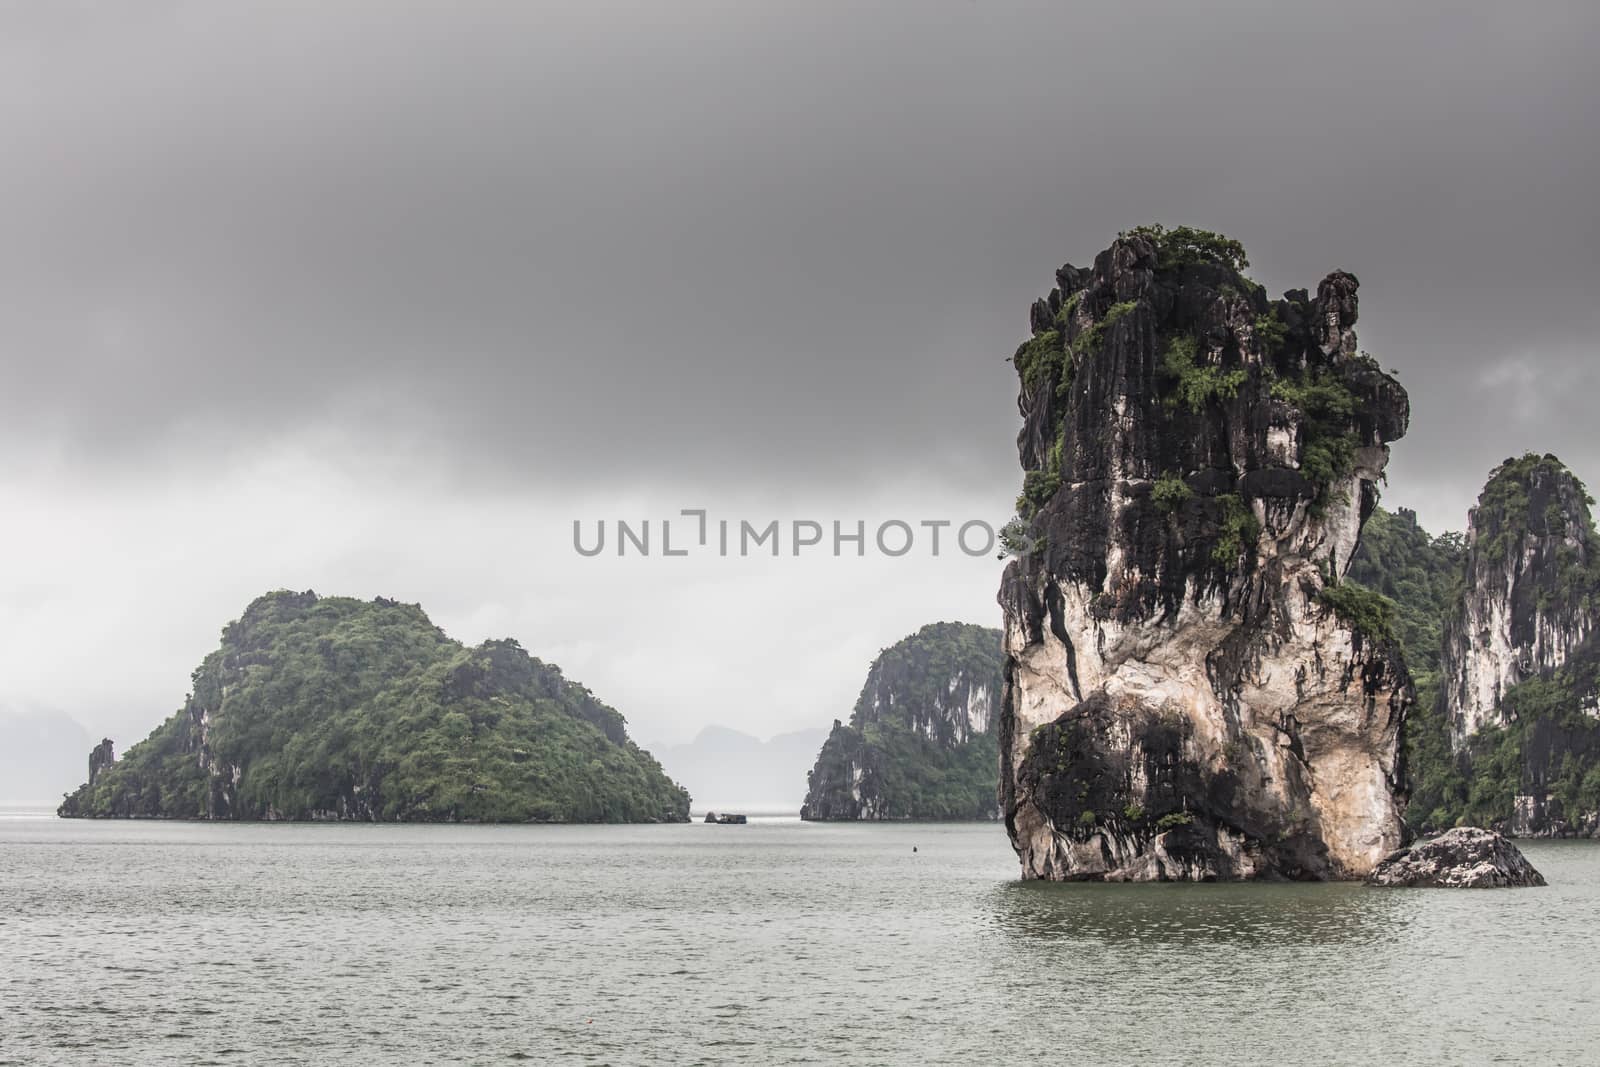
330,708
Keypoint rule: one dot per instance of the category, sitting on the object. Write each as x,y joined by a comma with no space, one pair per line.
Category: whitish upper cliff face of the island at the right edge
1529,599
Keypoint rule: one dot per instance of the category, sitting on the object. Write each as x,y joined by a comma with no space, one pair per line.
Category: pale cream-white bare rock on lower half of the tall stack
1300,727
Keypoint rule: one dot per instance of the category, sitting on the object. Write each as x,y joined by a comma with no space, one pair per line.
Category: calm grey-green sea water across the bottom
774,943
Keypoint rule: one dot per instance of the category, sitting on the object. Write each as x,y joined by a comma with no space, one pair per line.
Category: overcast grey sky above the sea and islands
380,298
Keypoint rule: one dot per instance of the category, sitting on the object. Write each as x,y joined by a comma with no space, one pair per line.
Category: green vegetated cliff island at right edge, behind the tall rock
1500,629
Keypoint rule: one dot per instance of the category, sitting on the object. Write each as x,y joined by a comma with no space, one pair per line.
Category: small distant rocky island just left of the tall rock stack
919,743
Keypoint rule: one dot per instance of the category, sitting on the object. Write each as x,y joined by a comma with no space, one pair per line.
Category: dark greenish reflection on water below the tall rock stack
1282,914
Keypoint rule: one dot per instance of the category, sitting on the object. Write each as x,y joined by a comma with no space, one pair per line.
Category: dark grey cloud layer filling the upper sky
726,241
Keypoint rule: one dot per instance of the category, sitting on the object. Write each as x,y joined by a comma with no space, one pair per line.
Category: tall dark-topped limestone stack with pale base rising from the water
1190,692
